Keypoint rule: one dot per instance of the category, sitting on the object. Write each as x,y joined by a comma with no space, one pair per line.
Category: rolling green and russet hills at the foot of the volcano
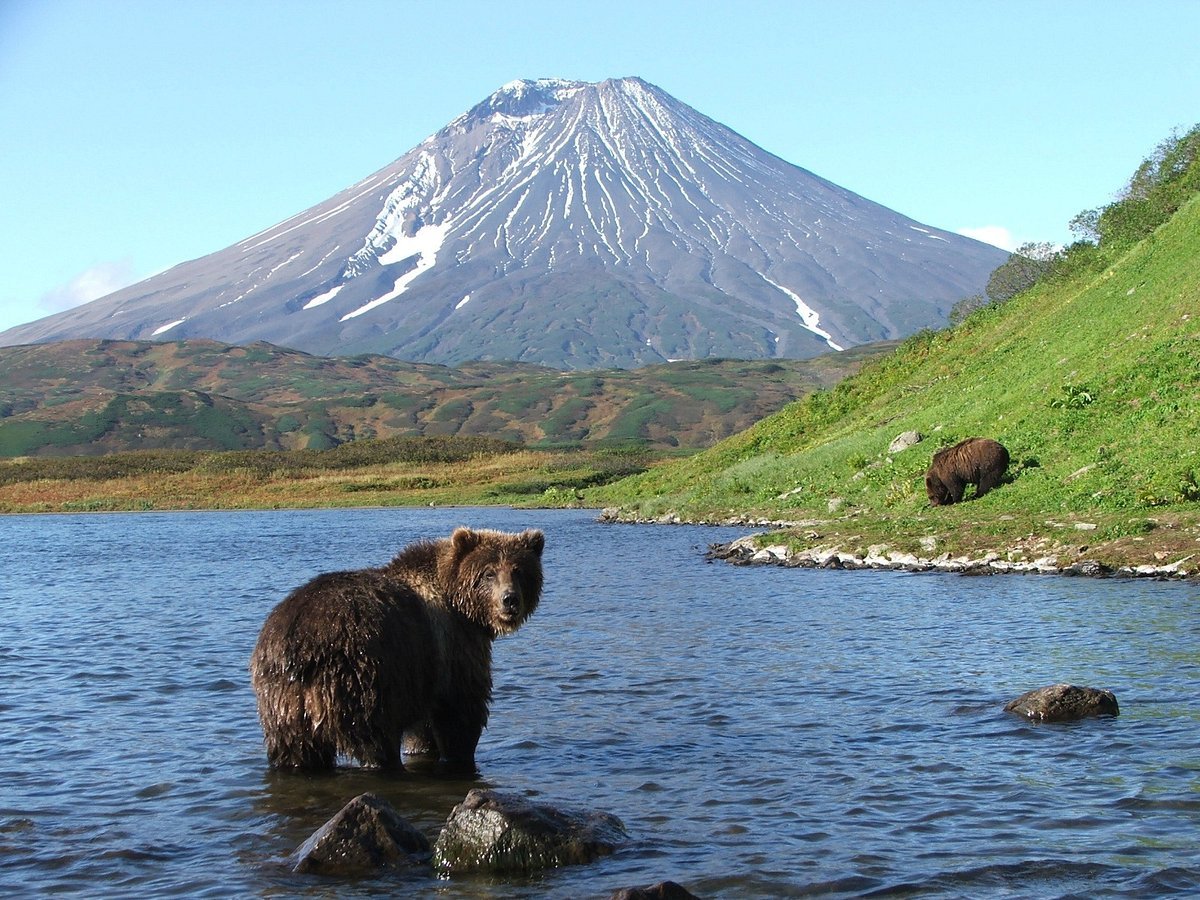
97,398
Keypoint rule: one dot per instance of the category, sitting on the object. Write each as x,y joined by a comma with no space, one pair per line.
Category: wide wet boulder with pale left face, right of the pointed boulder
505,833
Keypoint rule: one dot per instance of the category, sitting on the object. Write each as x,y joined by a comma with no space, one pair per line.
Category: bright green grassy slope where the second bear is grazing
1094,385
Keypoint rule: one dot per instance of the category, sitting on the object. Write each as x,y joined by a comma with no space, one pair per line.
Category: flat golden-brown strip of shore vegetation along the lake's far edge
395,472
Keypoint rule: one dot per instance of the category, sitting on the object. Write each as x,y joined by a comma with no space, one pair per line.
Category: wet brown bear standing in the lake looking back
349,662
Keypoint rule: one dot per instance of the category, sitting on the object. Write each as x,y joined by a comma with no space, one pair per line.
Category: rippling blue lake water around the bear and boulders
763,733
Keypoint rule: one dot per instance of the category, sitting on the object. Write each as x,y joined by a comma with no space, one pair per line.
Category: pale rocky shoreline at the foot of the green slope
747,551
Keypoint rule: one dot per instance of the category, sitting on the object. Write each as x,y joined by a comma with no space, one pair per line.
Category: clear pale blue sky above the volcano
141,134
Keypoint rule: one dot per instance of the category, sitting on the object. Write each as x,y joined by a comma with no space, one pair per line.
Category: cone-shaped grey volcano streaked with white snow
573,225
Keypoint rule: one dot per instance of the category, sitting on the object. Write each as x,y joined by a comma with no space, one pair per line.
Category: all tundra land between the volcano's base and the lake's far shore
118,425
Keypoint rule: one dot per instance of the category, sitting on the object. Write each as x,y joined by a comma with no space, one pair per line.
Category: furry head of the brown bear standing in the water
495,578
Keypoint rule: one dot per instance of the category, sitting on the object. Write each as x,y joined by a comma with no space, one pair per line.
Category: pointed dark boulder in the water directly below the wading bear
365,836
